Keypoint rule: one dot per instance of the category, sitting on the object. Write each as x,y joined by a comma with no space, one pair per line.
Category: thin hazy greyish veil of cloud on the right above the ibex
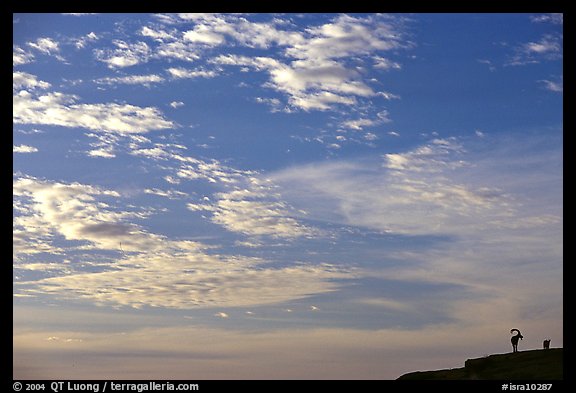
493,213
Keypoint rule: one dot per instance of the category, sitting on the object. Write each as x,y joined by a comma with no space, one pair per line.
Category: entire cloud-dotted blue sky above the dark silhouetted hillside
283,196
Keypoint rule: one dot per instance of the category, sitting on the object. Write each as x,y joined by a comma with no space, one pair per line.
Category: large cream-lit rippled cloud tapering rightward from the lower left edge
153,270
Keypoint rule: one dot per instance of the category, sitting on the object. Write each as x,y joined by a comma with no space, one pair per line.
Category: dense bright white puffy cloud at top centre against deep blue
318,77
